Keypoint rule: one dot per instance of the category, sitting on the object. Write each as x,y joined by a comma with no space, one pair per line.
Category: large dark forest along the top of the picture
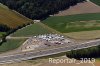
39,9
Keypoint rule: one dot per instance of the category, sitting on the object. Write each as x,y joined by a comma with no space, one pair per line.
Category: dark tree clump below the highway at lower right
93,52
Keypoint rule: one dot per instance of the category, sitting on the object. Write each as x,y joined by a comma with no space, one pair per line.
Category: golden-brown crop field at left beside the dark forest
11,18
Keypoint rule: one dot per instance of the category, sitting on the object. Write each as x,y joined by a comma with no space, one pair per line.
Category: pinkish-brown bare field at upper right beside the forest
80,8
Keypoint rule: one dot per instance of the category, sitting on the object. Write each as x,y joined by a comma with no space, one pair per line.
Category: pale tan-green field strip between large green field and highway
84,35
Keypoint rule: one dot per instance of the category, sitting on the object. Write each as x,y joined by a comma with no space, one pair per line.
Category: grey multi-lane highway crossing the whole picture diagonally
30,55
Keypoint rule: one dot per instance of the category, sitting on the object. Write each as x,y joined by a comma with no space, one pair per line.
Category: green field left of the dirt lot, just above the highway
11,44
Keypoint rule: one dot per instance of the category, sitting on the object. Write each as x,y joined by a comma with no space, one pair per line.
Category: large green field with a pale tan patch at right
74,23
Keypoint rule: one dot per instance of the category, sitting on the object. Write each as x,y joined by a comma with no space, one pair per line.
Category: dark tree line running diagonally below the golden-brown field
9,31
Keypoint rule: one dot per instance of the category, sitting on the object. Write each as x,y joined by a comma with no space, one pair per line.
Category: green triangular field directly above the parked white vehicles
34,29
